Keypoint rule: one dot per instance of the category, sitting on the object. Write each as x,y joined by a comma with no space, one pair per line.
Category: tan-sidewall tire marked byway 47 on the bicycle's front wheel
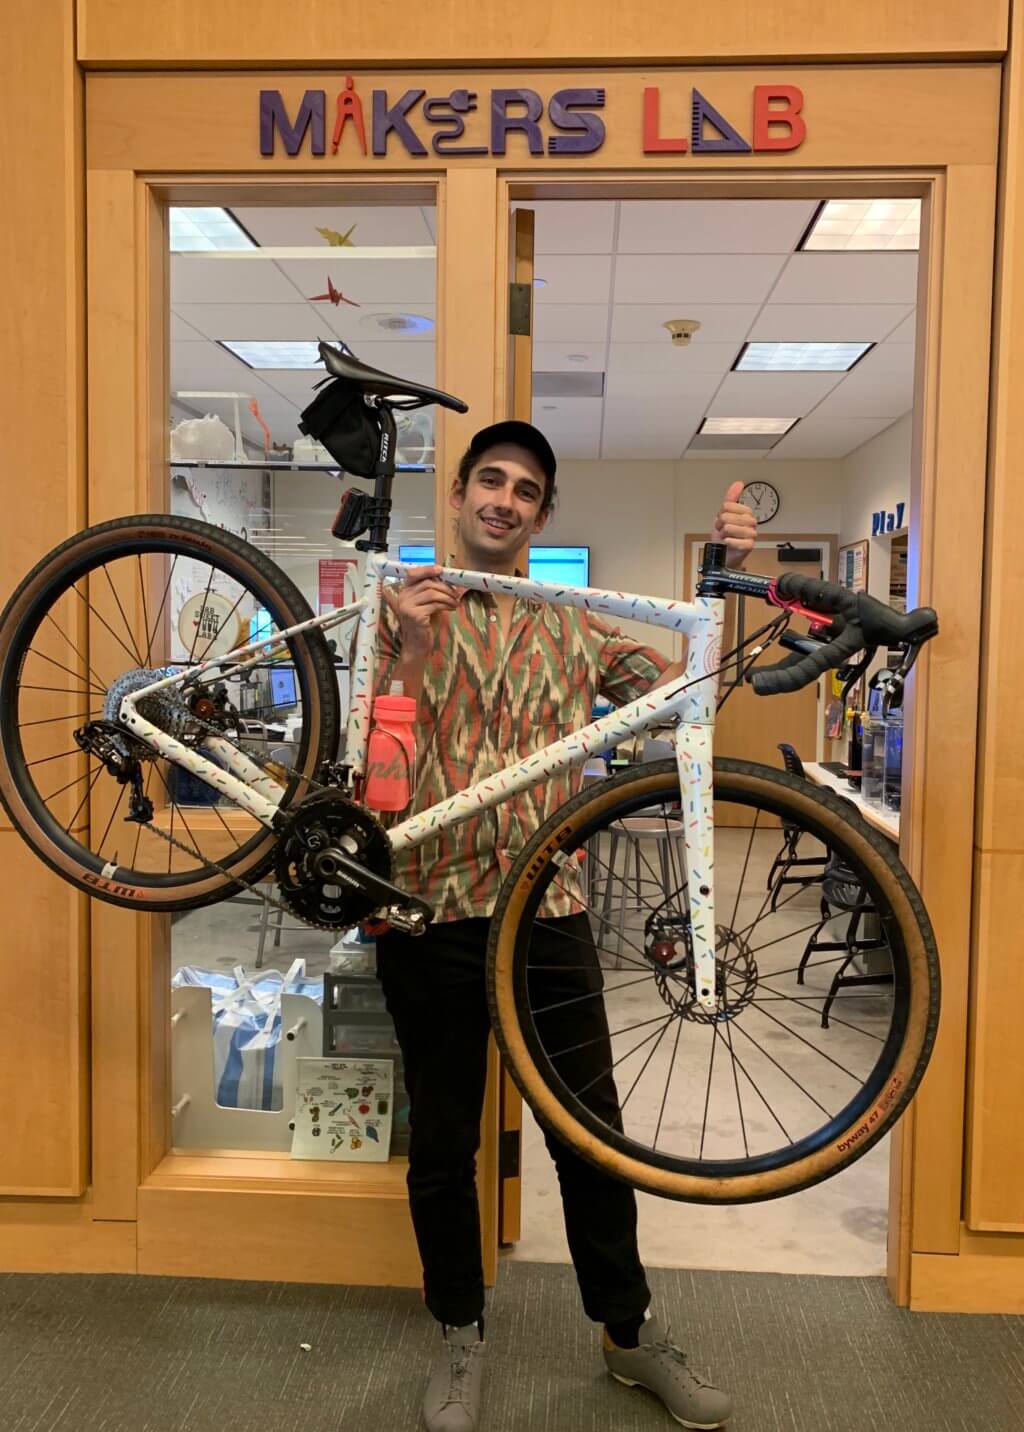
808,803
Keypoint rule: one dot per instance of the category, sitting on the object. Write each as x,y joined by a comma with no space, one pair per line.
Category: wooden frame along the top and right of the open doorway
952,377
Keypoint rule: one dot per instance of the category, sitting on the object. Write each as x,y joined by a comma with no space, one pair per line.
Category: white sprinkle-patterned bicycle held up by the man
125,596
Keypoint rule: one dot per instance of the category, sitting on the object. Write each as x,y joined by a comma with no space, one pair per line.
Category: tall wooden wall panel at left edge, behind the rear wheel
44,959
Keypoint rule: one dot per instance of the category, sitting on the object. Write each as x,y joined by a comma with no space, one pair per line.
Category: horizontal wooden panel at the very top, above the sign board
264,32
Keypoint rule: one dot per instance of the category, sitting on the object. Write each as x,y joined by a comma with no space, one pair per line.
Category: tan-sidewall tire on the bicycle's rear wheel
200,536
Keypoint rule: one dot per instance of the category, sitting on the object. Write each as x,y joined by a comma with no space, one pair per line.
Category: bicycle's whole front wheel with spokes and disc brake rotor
829,987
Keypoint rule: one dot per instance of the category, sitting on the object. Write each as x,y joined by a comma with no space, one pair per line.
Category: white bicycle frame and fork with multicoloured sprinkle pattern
690,705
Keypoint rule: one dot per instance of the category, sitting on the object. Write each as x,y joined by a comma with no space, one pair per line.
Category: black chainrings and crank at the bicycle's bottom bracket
313,884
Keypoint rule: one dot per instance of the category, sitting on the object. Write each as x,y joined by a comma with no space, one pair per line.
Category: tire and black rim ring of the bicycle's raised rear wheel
25,614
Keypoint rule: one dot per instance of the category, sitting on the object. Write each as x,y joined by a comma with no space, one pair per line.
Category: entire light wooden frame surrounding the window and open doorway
952,168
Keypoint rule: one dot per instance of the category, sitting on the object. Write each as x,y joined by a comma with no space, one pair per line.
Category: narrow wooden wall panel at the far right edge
996,1126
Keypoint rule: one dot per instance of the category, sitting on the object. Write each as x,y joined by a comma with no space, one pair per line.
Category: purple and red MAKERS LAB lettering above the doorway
496,122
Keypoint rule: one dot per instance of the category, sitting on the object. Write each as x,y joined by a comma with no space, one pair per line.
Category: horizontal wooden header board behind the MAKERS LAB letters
217,120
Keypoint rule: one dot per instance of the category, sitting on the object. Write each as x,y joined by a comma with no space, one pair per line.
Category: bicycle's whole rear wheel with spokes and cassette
107,614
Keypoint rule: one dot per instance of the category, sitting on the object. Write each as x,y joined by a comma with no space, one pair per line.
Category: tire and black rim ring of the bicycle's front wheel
867,1119
